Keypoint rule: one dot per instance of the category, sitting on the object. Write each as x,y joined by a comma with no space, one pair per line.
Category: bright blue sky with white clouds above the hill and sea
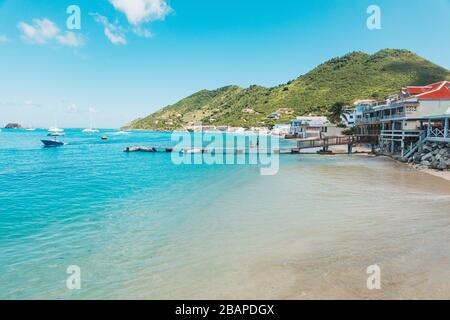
132,57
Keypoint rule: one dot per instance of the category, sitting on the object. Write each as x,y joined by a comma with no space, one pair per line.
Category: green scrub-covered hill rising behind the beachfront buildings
352,77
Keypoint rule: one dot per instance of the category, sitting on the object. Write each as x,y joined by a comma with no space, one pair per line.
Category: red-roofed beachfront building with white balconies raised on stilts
406,119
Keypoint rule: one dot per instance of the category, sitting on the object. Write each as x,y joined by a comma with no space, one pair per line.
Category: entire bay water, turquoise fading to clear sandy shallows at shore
141,227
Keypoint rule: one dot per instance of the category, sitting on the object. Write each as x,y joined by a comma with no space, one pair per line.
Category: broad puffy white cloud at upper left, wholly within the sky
43,31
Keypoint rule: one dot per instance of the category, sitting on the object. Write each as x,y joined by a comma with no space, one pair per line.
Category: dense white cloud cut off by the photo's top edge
141,11
